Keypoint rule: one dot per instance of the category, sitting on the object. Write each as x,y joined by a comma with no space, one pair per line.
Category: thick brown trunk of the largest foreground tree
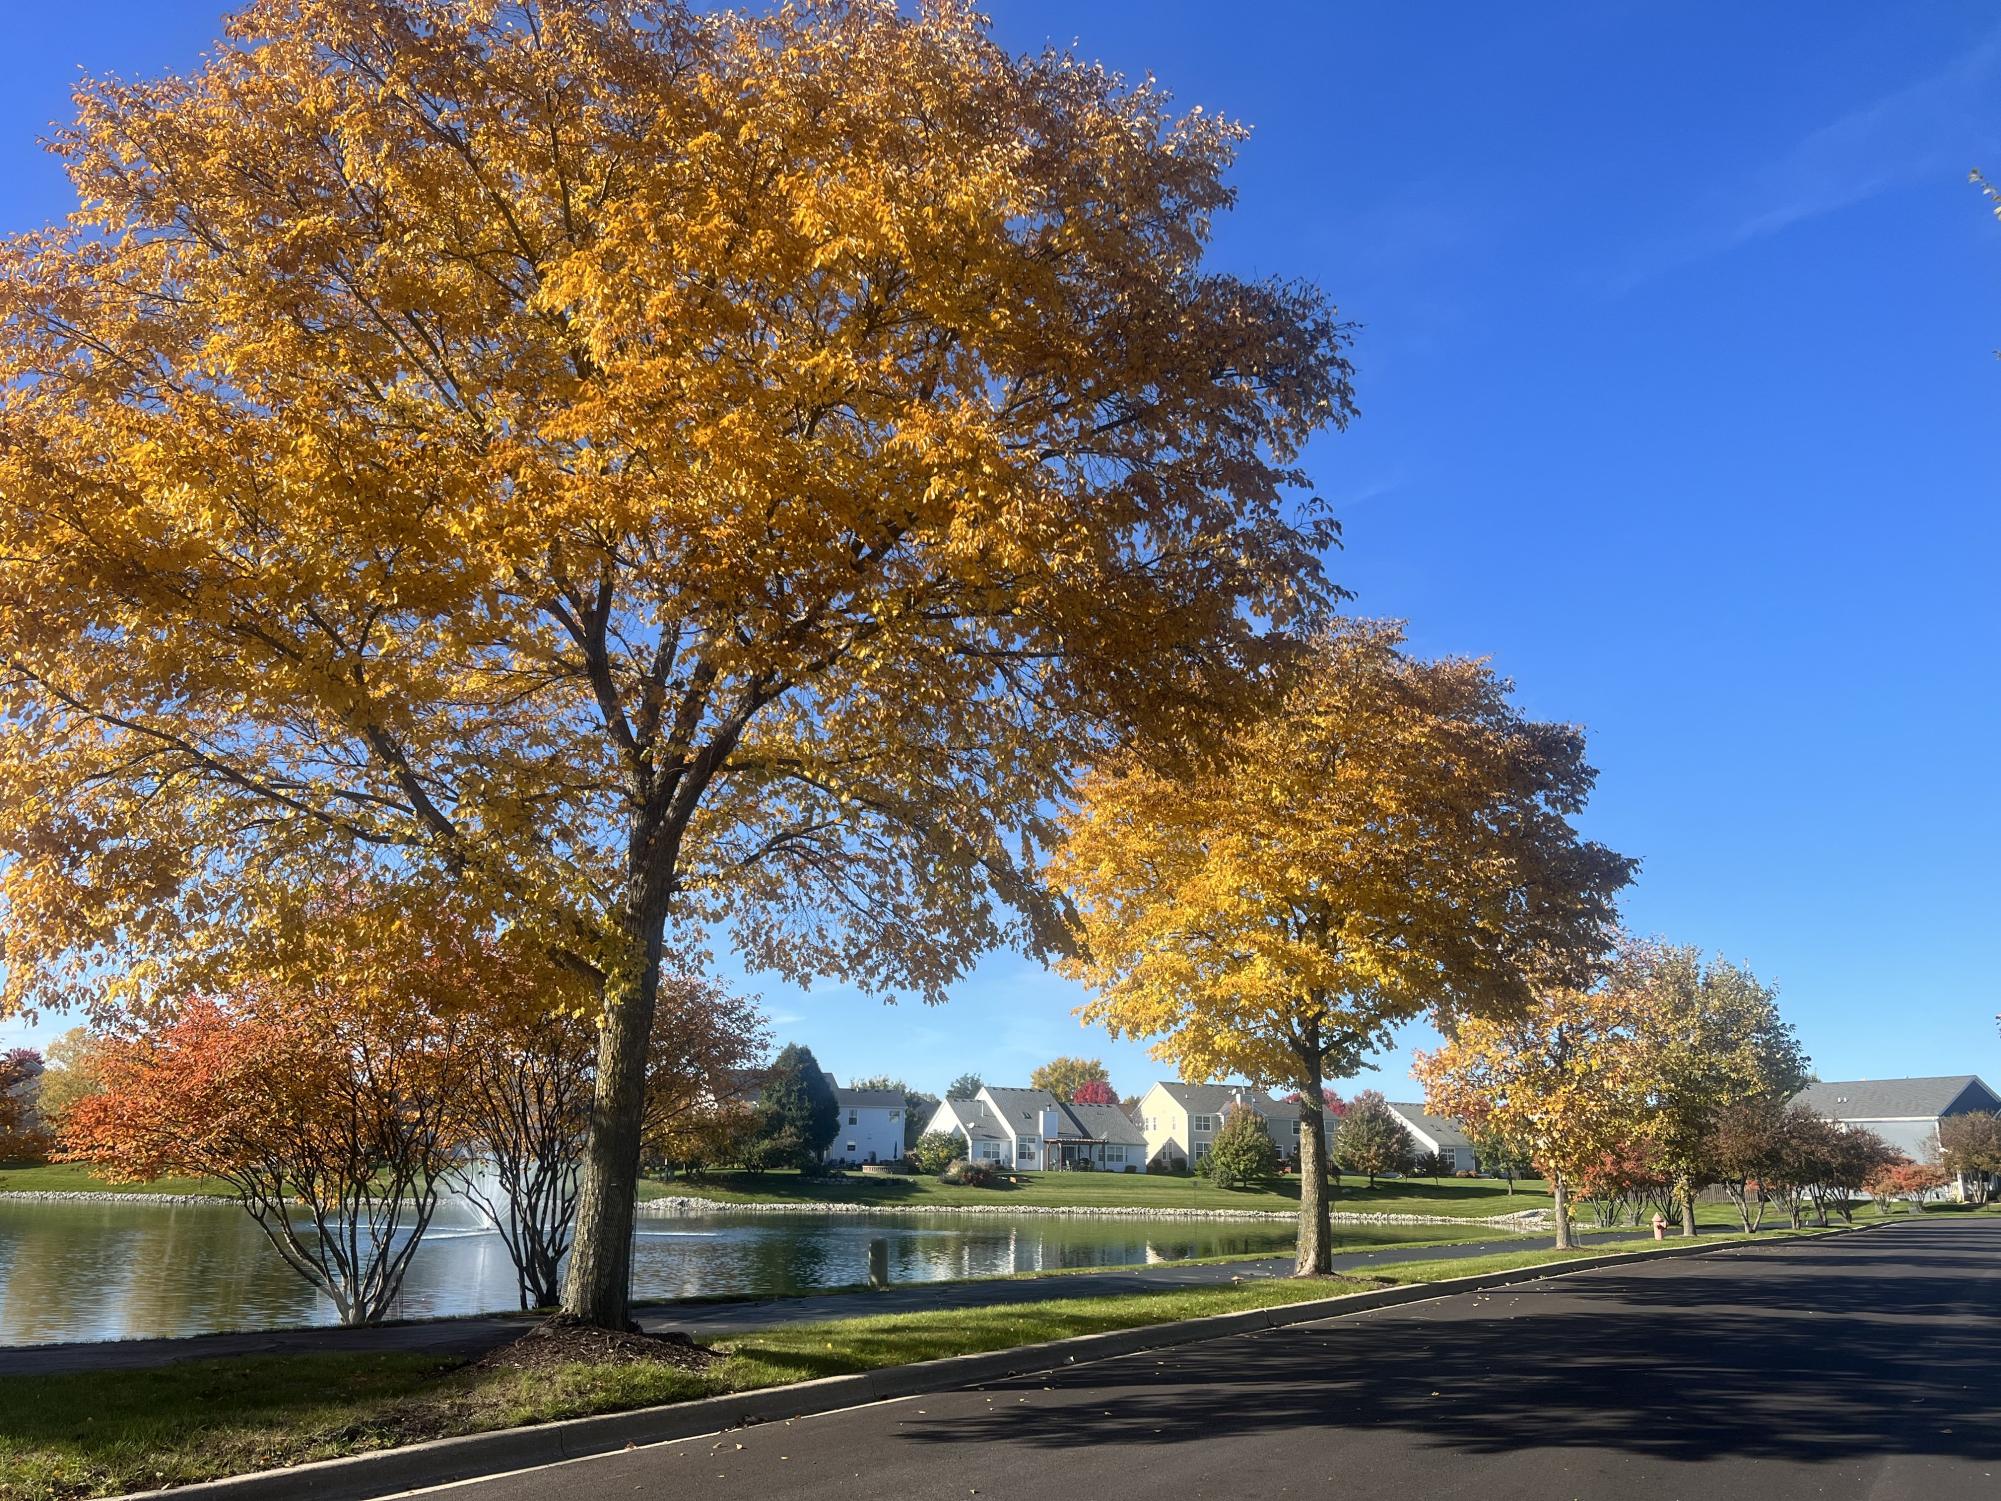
601,1258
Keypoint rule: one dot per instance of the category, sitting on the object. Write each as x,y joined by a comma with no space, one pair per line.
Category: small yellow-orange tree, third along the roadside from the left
1556,1078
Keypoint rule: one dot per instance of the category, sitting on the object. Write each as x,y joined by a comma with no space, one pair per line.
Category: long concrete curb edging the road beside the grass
473,1456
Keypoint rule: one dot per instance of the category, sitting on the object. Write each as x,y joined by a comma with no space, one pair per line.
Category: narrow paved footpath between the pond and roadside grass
471,1338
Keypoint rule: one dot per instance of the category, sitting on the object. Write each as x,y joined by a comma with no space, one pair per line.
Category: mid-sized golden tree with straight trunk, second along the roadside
1388,838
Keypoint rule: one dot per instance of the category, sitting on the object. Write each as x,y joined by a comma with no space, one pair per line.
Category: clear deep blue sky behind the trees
1680,401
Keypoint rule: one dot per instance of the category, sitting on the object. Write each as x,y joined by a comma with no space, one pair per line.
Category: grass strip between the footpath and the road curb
101,1434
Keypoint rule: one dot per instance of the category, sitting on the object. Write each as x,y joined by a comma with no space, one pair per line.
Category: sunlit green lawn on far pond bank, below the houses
1462,1198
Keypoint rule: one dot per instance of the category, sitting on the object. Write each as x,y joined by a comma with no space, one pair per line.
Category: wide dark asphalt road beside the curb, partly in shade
1854,1368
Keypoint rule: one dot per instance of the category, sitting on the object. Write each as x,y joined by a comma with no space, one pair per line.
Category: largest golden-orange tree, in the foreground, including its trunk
647,471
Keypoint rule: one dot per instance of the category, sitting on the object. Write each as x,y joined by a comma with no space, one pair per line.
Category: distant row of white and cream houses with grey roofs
1174,1124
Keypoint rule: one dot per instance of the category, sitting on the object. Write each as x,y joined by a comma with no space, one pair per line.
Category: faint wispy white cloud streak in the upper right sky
1928,129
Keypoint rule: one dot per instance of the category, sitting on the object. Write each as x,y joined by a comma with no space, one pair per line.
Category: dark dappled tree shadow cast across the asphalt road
1802,1358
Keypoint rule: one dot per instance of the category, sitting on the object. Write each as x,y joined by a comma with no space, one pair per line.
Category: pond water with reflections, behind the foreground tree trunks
133,1270
